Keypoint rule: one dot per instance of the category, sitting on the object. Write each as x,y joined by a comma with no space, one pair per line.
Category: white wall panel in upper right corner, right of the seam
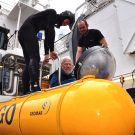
126,15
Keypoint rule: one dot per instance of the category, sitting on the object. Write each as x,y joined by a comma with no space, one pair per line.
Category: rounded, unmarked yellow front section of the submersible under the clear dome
97,107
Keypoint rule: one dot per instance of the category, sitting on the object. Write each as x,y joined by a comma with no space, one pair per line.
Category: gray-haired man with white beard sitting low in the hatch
67,74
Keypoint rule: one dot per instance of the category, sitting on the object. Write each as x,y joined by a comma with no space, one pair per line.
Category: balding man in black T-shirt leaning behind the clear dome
88,38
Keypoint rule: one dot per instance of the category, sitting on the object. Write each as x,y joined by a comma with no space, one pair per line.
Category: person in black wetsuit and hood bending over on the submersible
46,20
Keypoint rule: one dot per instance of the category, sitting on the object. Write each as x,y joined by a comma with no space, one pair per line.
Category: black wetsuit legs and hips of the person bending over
29,43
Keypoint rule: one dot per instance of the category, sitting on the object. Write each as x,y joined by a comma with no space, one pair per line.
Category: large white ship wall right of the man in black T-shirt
117,32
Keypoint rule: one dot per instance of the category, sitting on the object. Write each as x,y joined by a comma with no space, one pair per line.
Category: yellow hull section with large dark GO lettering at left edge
9,116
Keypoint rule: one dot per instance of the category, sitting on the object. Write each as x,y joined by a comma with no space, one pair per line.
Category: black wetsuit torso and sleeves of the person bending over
46,20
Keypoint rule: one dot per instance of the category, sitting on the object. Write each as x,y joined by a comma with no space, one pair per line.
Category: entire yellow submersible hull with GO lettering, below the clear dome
85,107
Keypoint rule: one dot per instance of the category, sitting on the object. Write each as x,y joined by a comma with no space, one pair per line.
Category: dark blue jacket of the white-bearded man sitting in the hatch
65,78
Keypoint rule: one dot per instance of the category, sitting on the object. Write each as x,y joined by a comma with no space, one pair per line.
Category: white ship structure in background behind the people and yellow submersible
112,17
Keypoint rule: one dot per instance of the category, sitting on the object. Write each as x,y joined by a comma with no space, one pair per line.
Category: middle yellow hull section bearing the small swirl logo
41,113
